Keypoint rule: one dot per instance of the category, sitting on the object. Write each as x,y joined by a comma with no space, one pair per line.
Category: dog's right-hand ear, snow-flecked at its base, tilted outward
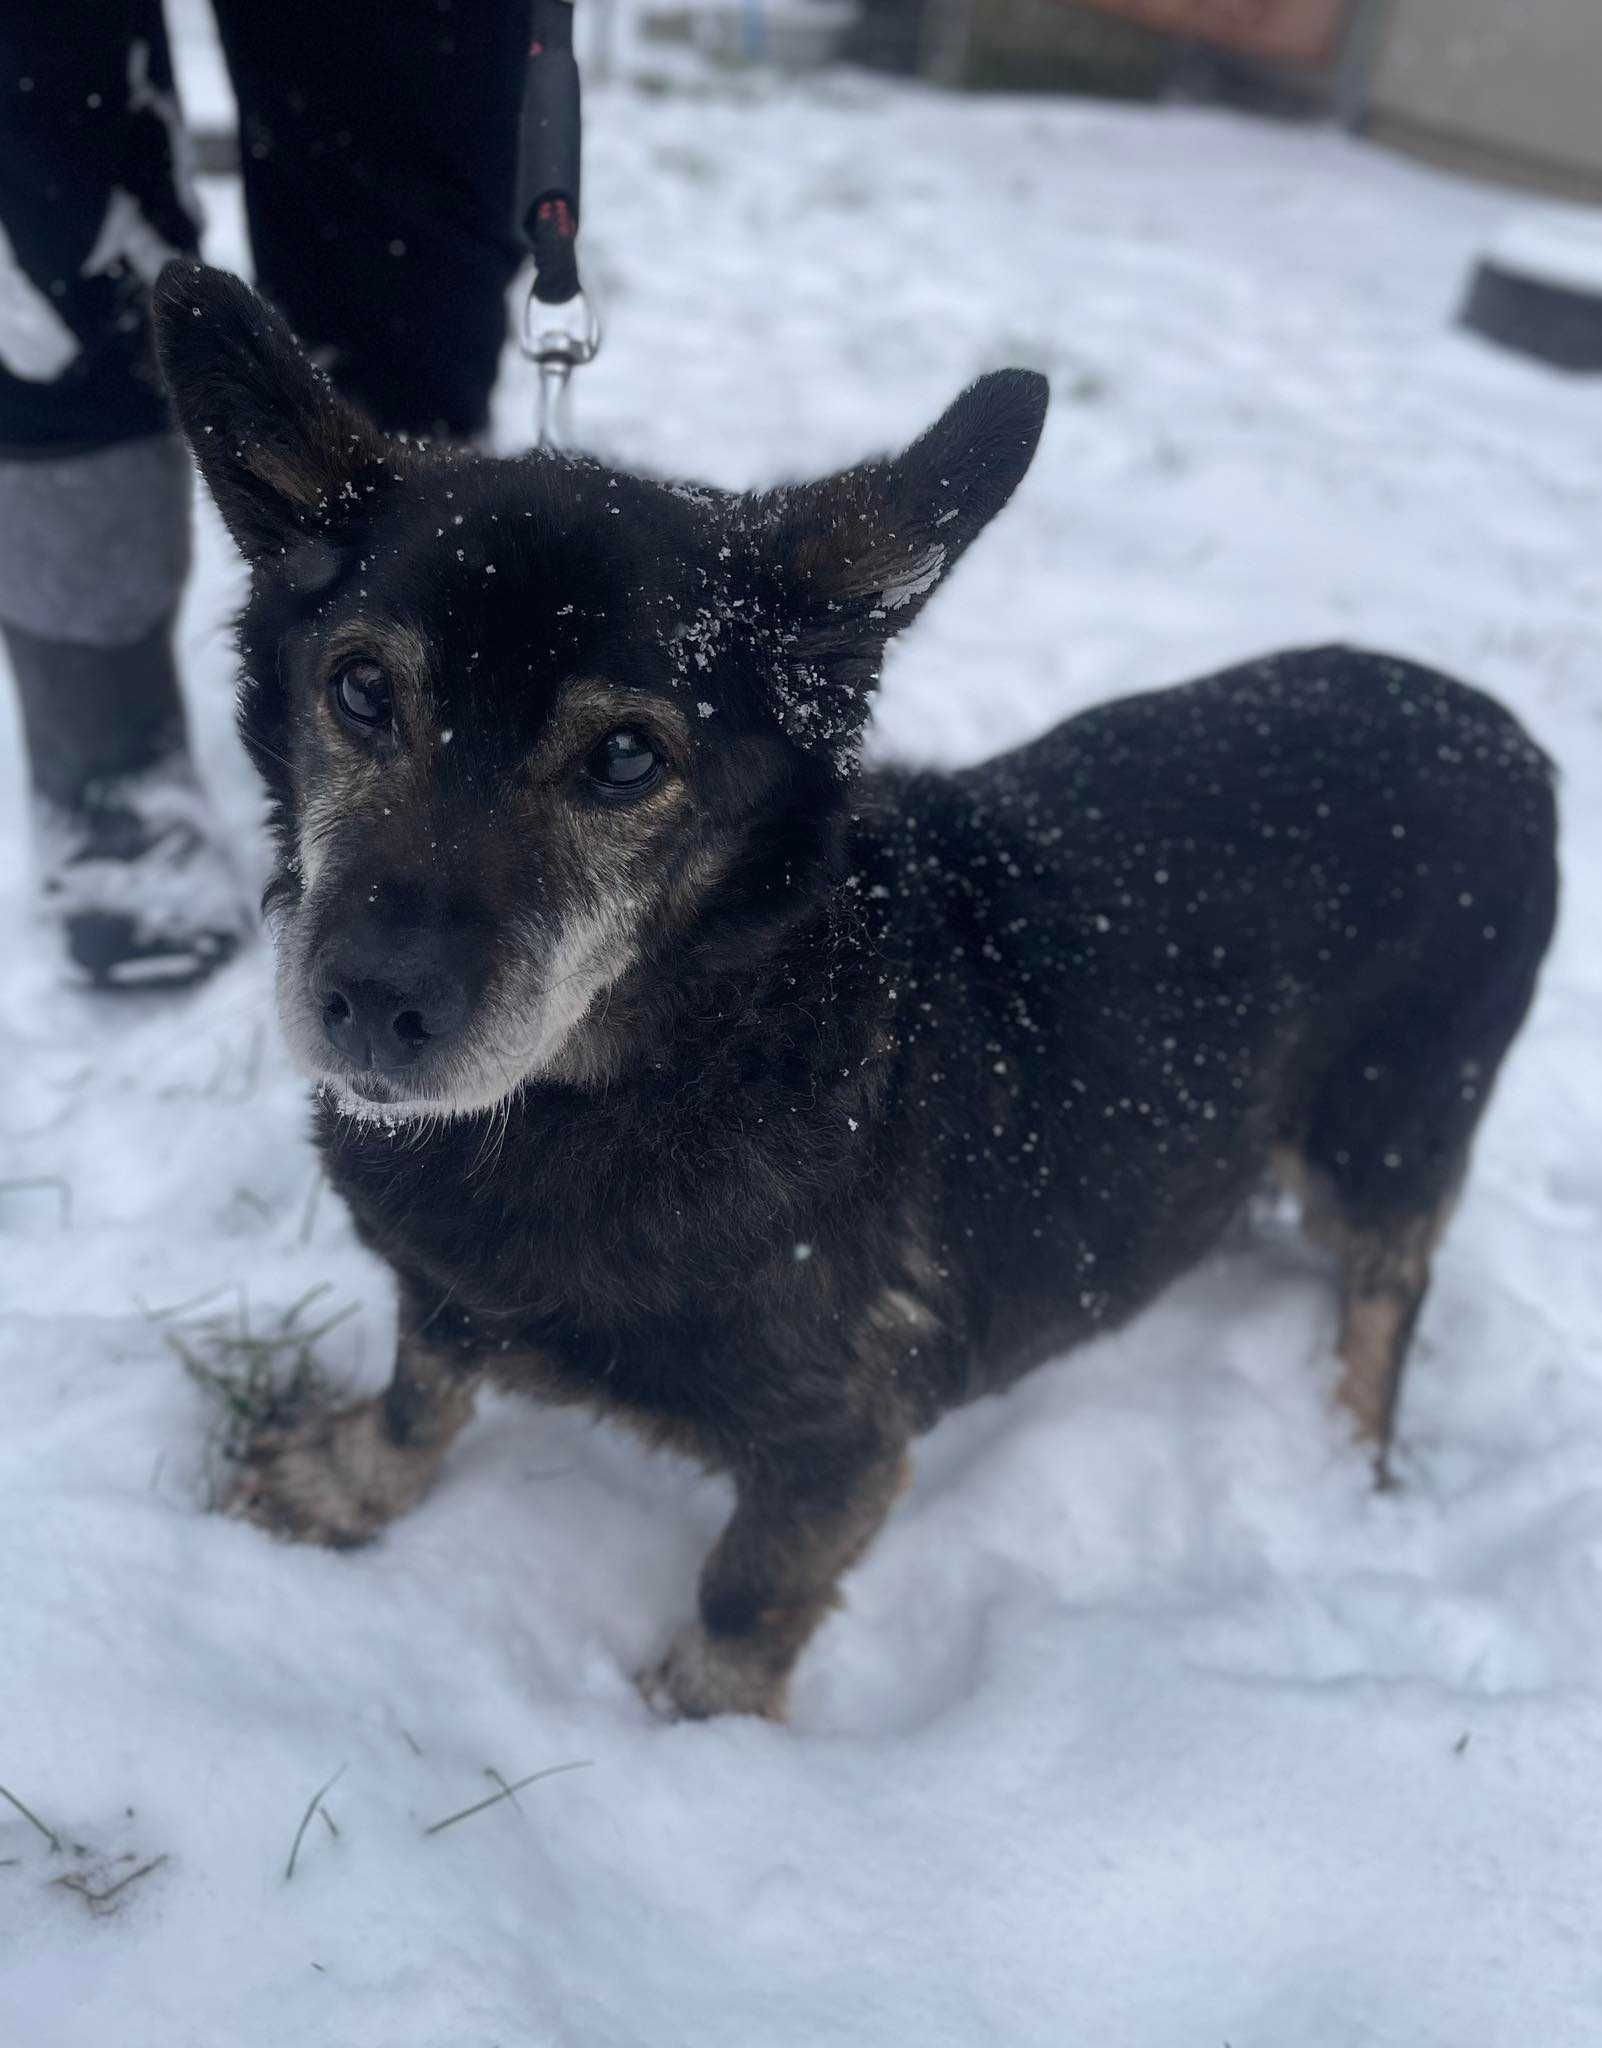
861,552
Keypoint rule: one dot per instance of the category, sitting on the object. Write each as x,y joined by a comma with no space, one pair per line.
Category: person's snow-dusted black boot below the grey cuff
130,855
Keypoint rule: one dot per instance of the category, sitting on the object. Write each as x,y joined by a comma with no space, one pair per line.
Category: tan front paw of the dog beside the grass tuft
335,1478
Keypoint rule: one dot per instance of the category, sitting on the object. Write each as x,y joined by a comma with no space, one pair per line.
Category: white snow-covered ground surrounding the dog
1146,1723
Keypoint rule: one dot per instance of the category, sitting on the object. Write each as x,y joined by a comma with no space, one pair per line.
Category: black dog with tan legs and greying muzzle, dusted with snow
685,1070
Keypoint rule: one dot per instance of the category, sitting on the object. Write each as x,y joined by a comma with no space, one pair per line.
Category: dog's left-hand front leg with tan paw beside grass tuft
341,1476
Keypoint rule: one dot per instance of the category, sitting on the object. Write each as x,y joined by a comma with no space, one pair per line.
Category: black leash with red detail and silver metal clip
560,329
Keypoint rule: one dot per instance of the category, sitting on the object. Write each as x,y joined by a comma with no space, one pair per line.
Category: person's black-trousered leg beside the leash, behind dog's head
380,153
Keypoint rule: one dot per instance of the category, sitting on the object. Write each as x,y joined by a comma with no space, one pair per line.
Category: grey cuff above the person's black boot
95,548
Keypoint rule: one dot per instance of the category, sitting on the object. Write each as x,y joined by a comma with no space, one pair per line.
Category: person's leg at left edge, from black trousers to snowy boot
95,486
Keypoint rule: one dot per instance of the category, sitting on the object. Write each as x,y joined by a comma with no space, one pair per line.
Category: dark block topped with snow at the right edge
1542,294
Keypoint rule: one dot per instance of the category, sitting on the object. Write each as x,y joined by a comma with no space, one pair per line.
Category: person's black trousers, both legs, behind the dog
378,153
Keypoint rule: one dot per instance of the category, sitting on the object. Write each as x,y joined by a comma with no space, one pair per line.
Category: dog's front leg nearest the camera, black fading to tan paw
773,1578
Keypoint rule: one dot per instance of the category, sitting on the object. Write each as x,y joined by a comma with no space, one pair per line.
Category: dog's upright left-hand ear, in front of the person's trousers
280,450
